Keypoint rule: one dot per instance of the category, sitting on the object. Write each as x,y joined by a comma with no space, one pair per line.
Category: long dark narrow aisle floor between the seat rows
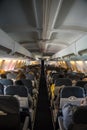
43,118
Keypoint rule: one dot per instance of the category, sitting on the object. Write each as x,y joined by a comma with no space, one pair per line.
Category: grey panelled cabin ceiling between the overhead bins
44,27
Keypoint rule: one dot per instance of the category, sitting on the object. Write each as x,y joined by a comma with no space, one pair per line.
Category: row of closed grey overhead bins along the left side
12,45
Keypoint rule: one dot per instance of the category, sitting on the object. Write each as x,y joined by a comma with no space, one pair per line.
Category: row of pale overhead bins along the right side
73,49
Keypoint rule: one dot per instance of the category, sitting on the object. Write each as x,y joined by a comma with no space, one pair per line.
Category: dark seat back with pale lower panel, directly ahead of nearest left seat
21,94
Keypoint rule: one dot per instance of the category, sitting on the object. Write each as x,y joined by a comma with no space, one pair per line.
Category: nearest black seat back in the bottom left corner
9,113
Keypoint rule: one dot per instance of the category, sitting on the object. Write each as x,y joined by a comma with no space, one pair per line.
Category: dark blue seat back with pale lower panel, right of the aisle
72,95
